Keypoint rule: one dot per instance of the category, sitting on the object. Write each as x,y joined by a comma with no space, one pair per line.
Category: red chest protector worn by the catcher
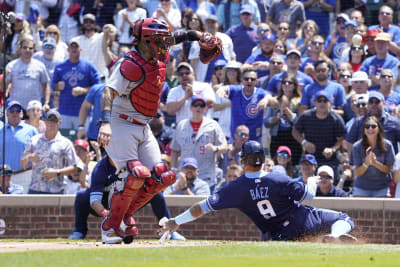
149,77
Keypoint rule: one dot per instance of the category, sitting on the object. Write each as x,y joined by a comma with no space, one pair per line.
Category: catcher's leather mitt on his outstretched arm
210,47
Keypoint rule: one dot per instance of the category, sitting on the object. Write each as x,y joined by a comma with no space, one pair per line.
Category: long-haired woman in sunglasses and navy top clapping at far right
373,157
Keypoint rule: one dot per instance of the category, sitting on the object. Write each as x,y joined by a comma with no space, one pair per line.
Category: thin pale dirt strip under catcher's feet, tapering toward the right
22,246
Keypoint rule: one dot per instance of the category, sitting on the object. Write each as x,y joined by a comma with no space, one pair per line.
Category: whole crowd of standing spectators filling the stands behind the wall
315,81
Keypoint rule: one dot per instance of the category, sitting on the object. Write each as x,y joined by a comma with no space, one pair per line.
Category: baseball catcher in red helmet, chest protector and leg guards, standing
130,99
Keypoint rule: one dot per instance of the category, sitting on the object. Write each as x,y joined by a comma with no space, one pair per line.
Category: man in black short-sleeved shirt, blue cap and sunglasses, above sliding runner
321,121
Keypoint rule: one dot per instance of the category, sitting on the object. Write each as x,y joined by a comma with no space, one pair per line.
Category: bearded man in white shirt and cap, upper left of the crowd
91,43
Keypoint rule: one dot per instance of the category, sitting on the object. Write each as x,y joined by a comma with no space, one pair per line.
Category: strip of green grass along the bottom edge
232,254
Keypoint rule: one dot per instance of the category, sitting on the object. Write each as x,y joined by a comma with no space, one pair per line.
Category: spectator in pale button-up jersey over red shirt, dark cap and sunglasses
201,138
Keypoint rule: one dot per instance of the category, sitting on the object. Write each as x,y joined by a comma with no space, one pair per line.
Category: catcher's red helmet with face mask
156,34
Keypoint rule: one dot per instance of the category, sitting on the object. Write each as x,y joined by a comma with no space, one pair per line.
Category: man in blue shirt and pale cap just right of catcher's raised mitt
244,35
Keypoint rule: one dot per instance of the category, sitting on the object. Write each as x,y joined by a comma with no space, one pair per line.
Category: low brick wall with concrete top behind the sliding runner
34,216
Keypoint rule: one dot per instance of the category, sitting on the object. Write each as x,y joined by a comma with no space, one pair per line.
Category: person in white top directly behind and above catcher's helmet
125,20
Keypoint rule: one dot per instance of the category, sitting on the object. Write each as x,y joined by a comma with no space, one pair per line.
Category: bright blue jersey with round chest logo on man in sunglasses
244,110
